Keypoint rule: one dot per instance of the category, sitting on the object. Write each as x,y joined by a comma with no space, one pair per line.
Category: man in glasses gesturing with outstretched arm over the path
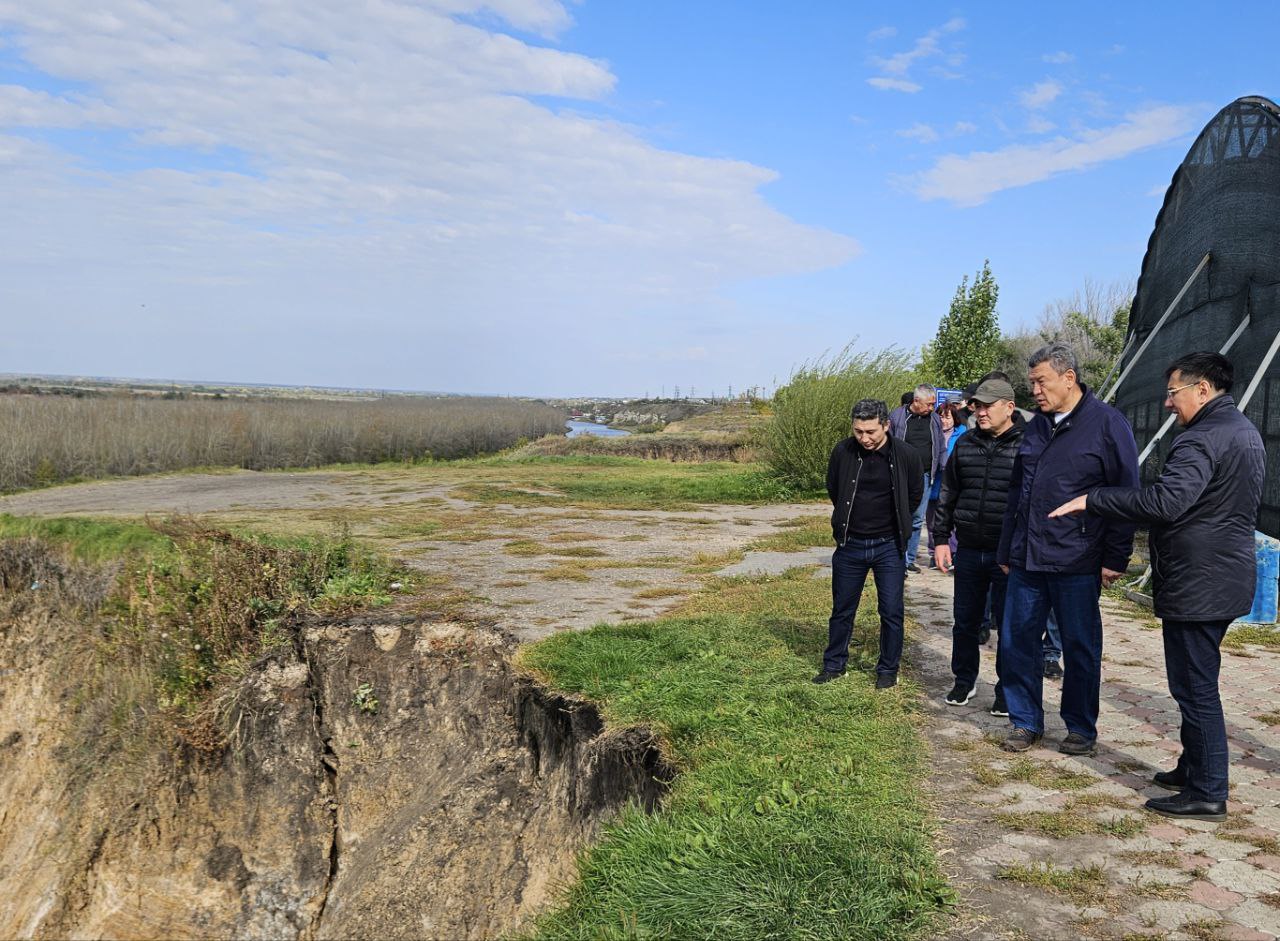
1203,513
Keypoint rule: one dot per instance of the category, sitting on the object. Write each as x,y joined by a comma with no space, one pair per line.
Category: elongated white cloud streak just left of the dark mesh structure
972,180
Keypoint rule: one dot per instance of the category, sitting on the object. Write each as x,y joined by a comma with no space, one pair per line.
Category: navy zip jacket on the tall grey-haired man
1091,447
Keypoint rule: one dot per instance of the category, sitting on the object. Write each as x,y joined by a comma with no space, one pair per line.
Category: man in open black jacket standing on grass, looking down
875,483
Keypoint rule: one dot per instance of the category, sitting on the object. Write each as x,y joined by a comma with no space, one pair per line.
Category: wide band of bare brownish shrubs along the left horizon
52,438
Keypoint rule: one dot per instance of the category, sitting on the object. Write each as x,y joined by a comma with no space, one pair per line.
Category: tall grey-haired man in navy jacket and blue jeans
1060,565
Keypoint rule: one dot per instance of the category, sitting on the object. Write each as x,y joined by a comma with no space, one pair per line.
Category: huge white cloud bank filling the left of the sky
383,191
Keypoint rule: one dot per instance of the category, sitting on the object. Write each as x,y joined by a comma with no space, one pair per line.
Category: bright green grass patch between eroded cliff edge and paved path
798,810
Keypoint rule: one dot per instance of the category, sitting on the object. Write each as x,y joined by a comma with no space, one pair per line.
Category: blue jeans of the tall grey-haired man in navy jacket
1075,600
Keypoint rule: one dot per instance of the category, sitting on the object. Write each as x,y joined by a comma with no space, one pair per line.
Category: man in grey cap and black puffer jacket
972,501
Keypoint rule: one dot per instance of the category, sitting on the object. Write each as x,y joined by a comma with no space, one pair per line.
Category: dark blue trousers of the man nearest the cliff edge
849,568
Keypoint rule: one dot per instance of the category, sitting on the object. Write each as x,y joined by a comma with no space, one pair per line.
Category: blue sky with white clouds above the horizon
560,199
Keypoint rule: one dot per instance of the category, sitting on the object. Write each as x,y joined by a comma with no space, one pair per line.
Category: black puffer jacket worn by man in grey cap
976,488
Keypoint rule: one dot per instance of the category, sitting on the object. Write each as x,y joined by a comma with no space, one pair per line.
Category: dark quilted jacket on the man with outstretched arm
1203,513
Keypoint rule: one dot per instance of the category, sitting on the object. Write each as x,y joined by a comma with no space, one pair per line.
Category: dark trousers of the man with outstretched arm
1192,661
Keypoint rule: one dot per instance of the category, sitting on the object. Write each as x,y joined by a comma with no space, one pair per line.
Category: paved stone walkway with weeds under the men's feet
1046,846
